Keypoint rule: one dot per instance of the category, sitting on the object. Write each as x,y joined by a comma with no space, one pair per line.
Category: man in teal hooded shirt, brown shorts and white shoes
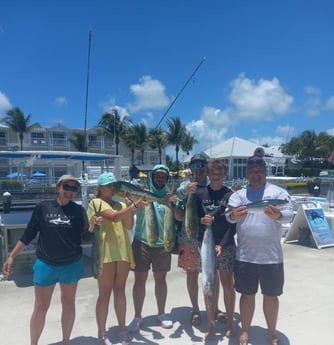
154,256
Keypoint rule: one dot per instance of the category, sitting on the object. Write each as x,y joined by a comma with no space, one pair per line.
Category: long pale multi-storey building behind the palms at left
57,138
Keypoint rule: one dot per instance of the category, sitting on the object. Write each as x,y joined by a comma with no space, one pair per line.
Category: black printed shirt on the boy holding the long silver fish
223,231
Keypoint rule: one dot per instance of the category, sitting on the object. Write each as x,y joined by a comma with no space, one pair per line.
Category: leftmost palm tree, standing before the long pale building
16,120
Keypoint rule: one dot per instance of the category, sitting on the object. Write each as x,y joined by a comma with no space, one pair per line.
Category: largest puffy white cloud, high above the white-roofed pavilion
259,100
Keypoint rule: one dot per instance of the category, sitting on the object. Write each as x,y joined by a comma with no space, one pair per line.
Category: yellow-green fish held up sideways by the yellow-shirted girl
133,192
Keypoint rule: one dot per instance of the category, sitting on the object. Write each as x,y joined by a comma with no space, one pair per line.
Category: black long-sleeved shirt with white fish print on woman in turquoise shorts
60,230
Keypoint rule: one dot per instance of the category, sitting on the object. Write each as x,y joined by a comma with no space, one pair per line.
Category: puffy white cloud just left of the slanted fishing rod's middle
149,94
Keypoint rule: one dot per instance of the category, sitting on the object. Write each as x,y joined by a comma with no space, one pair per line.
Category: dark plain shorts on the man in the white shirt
247,277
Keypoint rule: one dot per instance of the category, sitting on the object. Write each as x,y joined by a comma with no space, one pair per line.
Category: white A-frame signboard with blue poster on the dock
310,227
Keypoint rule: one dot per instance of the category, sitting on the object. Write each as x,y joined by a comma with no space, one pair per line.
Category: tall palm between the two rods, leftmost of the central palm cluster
114,124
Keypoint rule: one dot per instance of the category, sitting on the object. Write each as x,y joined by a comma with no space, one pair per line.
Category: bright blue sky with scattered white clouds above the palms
267,76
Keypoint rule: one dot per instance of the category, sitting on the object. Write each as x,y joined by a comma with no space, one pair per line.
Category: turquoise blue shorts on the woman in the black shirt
46,275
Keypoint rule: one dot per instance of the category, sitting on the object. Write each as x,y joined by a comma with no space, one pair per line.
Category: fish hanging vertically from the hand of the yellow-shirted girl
97,247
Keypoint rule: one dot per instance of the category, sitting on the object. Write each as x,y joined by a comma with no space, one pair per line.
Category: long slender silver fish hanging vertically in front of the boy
208,258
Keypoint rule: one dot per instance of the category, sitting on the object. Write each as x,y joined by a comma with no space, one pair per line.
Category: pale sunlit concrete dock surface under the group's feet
305,316
